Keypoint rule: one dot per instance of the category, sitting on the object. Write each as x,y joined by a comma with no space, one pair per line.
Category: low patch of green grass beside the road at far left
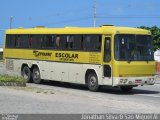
6,78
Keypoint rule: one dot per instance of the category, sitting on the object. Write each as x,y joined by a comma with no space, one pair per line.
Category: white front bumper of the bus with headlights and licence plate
133,81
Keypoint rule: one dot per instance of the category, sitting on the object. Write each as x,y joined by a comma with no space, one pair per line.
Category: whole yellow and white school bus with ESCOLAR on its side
102,56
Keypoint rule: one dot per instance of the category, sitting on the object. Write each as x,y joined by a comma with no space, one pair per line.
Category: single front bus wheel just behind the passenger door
92,82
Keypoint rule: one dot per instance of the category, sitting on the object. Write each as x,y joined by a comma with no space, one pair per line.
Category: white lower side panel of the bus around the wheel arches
57,71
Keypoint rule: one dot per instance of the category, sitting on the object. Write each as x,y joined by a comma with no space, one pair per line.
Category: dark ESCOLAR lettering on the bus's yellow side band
66,56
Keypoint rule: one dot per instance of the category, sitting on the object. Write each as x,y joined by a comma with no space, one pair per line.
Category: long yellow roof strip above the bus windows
79,30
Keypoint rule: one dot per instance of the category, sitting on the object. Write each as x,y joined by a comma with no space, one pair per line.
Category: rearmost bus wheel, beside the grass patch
26,74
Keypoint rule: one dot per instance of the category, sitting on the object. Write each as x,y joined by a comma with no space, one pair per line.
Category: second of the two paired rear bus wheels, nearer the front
36,76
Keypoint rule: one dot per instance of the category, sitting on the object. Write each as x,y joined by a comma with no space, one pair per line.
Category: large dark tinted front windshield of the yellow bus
133,47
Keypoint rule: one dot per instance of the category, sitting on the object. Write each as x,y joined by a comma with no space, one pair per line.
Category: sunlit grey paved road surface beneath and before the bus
58,97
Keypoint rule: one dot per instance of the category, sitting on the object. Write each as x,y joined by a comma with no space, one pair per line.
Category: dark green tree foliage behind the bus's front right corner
155,35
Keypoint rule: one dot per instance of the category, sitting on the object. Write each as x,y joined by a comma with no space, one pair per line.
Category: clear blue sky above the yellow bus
61,13
